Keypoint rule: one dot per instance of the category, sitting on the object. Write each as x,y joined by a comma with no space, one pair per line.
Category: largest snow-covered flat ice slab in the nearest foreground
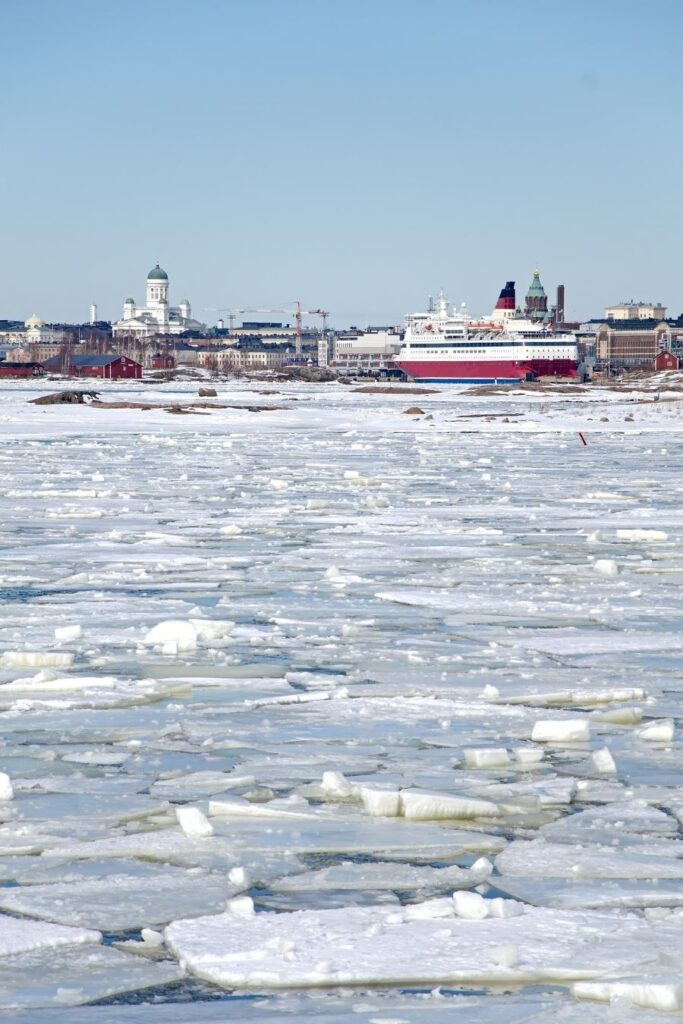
432,947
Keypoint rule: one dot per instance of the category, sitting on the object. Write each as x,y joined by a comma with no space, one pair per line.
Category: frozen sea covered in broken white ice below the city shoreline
316,710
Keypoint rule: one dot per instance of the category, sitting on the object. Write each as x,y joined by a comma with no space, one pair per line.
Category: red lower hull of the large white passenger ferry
485,372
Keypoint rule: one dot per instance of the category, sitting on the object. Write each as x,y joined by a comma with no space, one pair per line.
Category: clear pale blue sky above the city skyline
358,155
